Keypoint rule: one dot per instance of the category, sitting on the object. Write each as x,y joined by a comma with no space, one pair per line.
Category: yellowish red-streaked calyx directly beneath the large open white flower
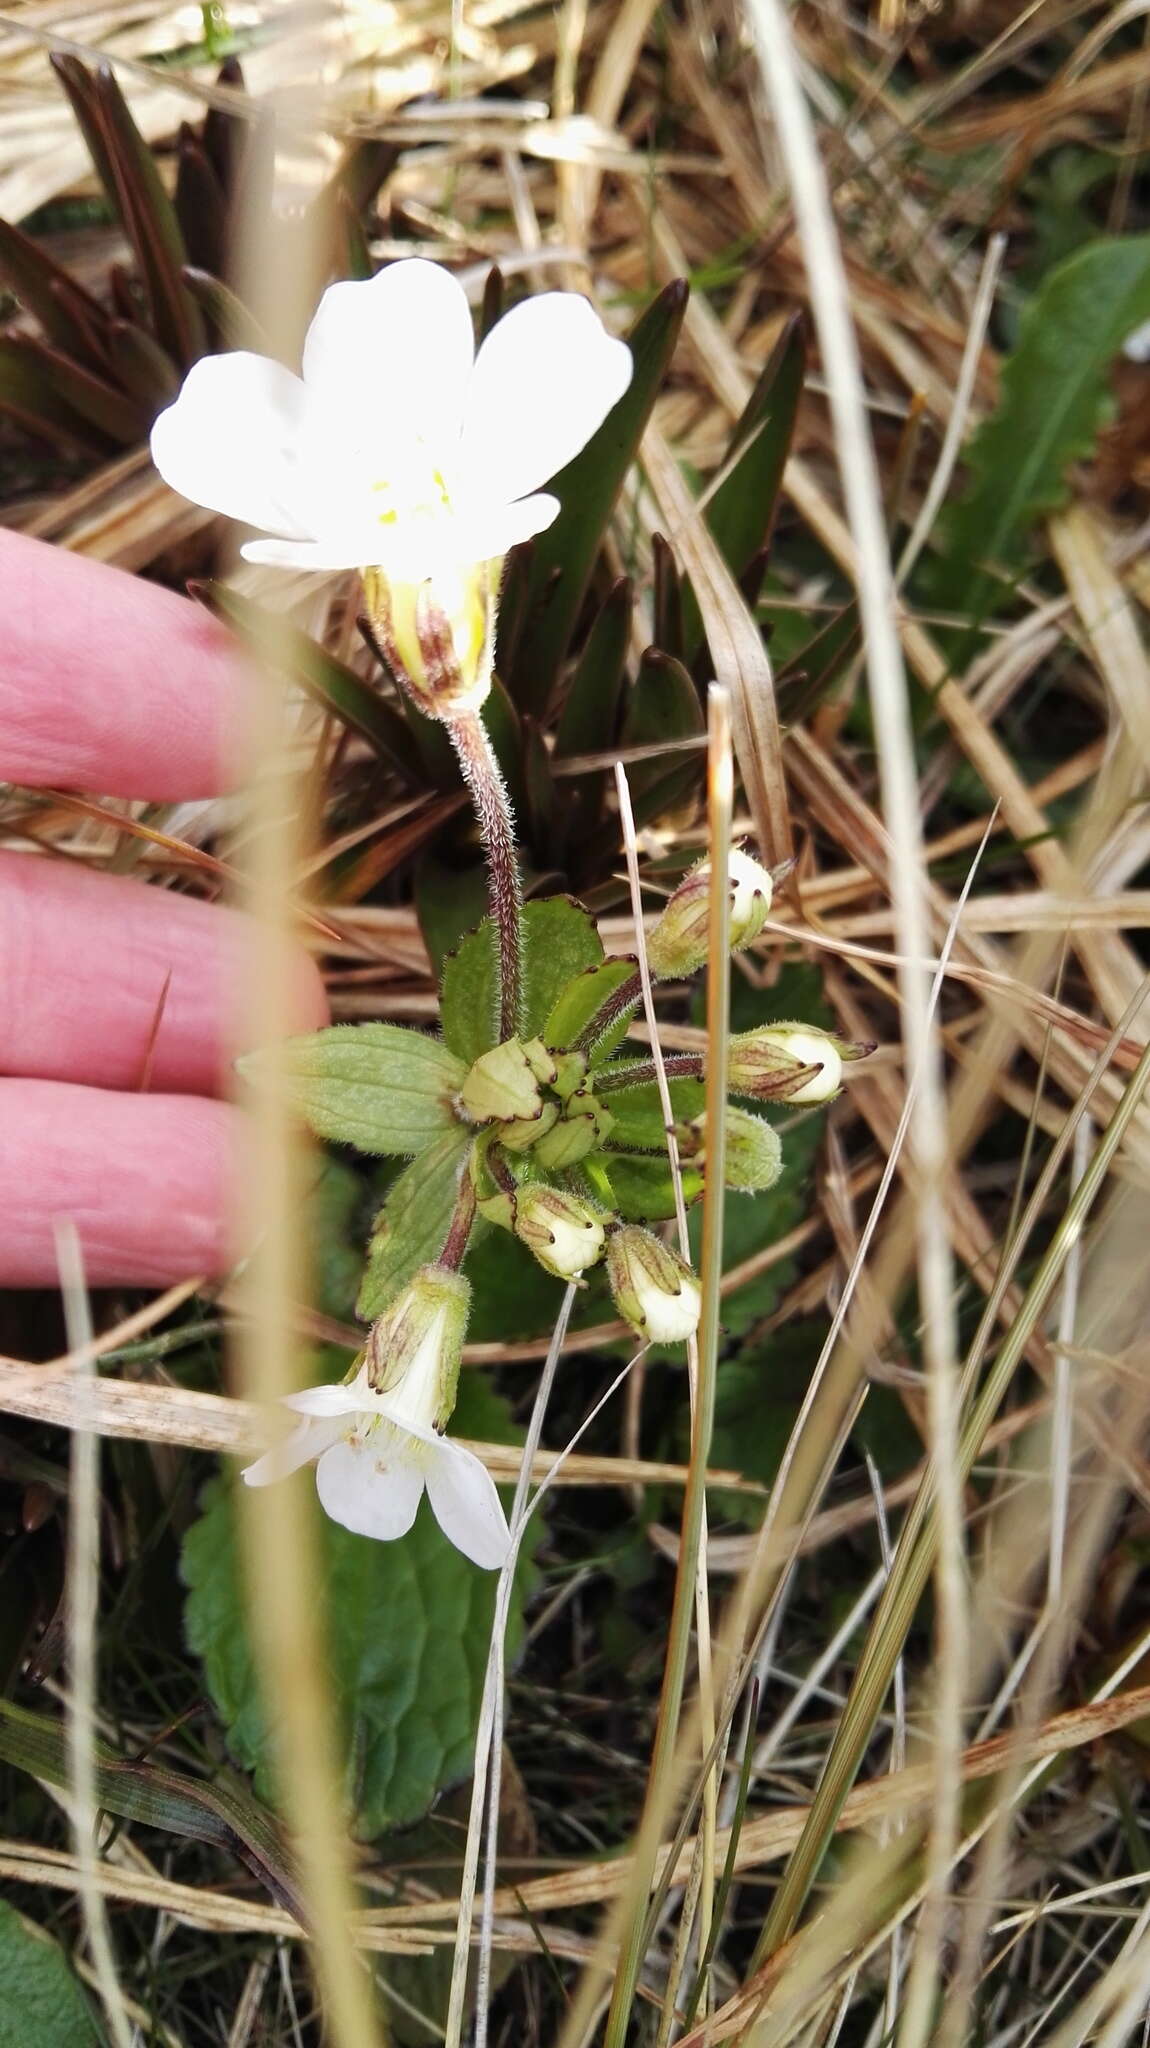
435,636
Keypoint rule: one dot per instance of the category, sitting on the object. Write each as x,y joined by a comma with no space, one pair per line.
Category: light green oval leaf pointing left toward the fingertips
375,1086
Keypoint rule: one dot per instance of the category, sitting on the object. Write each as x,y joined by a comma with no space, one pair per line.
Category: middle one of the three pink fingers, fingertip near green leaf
122,986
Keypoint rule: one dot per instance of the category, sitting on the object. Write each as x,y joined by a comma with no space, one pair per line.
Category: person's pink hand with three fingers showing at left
116,1000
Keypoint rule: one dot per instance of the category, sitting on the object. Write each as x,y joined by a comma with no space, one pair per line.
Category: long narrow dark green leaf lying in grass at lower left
157,1797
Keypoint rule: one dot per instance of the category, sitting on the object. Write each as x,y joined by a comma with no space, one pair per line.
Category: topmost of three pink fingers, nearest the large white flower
109,683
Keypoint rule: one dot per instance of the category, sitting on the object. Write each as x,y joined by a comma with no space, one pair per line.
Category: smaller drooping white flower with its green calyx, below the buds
382,1449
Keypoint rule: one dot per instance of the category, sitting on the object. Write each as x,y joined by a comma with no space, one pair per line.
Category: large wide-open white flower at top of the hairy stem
400,450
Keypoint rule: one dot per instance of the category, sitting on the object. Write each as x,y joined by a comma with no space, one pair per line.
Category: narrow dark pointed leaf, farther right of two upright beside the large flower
744,507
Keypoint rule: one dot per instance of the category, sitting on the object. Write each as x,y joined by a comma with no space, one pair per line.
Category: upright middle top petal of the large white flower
392,355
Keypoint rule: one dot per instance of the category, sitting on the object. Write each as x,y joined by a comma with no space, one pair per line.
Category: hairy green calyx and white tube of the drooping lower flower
416,1347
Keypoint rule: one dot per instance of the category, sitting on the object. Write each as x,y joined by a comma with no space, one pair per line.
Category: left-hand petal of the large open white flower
234,443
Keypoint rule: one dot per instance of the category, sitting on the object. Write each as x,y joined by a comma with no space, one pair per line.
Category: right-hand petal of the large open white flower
545,380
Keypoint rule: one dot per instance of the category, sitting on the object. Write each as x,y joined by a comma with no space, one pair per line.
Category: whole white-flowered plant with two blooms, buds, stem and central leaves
408,456
